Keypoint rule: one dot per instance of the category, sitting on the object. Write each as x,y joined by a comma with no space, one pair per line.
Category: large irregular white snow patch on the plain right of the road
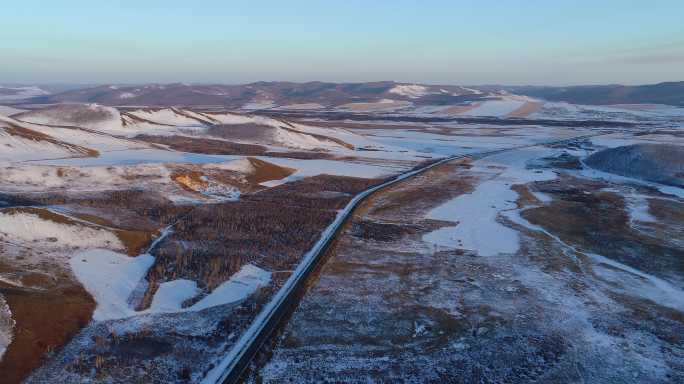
476,214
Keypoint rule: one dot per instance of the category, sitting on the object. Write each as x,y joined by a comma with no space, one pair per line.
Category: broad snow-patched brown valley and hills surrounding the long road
148,238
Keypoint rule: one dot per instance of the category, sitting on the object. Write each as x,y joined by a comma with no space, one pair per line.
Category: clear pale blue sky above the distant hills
451,42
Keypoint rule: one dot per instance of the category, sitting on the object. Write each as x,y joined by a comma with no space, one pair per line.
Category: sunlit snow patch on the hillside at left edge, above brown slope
29,227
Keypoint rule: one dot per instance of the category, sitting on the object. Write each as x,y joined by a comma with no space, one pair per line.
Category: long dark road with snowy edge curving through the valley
231,367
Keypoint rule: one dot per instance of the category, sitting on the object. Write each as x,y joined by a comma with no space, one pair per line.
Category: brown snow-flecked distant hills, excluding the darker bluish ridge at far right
264,94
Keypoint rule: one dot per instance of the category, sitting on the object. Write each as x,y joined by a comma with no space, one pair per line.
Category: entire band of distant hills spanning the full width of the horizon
316,94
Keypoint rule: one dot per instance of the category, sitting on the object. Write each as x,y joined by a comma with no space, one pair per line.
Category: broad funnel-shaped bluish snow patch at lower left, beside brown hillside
110,277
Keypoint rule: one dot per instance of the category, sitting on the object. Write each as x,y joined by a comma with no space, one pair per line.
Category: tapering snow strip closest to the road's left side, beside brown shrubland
240,286
